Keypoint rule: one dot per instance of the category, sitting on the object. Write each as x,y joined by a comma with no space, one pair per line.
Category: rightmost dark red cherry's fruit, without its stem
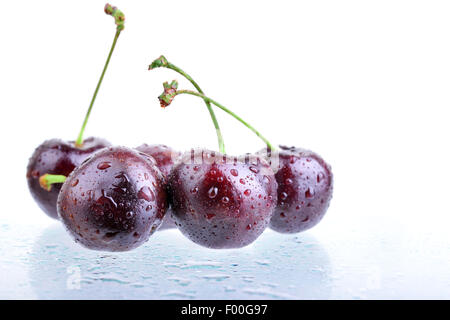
305,187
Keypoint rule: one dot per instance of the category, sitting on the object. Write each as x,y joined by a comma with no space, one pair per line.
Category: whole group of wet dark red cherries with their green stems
114,198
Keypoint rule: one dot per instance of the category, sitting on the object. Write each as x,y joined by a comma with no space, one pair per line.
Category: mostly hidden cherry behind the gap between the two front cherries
165,158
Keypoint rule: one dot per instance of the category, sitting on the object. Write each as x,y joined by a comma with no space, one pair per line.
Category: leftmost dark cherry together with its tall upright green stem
59,157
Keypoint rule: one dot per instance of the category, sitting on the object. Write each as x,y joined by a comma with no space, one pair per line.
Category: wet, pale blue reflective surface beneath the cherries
41,261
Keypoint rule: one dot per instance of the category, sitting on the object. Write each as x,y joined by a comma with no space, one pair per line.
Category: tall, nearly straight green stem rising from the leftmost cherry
119,18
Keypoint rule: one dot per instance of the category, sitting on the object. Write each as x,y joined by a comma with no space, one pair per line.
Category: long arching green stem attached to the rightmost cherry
170,92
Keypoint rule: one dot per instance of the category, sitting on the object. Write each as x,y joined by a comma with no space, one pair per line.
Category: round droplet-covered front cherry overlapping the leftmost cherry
114,201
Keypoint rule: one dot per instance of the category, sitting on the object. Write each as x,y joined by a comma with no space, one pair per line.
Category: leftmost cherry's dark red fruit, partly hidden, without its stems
57,157
